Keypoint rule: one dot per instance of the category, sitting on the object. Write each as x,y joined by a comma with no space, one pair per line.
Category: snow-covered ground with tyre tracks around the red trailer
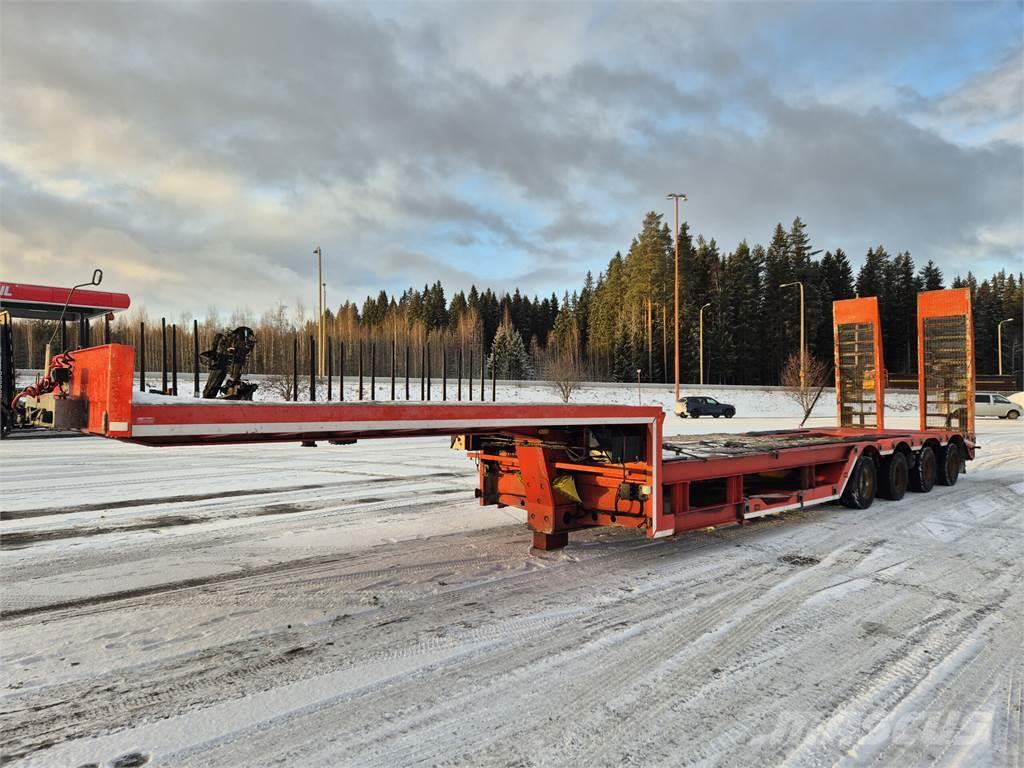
353,606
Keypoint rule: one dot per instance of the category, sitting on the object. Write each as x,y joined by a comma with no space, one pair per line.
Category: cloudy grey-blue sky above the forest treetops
199,152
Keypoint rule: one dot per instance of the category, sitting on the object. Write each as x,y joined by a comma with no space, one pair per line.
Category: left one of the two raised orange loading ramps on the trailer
861,369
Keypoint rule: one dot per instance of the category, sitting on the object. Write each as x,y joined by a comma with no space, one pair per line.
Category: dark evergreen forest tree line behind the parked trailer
617,323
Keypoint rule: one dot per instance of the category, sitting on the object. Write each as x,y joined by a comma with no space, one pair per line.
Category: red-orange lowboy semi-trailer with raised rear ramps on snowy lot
572,467
